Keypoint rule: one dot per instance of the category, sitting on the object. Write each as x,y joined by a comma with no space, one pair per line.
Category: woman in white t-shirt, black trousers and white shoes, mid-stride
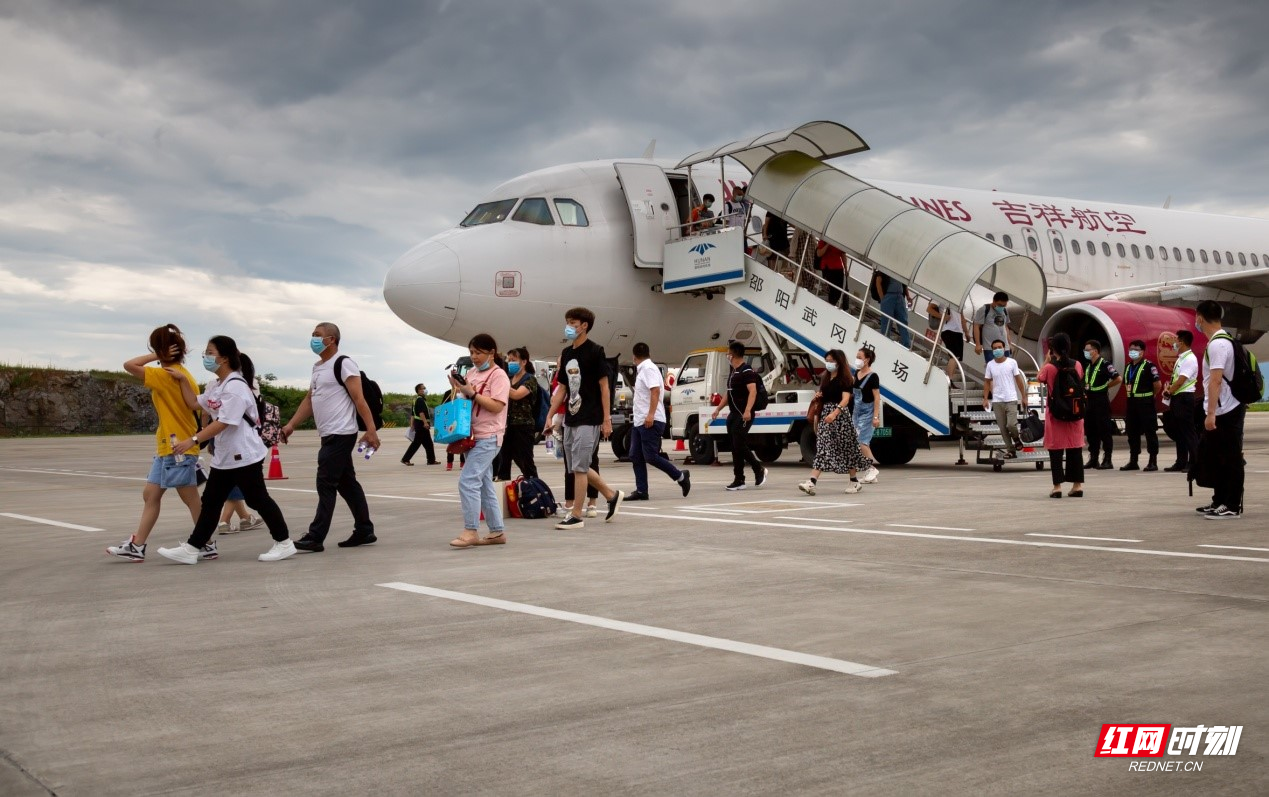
239,455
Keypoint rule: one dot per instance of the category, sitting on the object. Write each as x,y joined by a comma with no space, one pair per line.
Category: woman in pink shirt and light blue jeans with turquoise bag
489,388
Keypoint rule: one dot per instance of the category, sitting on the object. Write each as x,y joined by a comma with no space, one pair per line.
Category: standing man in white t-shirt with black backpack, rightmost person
1223,436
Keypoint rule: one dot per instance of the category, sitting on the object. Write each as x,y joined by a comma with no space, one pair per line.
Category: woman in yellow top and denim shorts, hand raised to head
176,422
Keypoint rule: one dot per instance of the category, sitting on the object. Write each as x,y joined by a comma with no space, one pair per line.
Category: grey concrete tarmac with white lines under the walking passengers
947,631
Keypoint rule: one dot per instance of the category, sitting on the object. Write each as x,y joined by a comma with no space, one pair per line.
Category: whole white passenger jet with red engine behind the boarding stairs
582,234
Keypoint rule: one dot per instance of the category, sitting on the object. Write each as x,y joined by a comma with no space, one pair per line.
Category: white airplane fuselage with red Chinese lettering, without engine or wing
515,280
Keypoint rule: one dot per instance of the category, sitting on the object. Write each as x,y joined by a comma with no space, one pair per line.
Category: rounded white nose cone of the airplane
422,289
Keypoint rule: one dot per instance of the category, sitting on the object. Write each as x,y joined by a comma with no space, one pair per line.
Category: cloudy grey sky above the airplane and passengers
252,168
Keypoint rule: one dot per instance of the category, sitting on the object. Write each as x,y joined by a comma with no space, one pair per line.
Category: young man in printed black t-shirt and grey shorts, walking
584,393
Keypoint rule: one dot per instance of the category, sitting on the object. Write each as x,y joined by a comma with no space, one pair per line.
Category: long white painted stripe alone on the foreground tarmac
762,652
